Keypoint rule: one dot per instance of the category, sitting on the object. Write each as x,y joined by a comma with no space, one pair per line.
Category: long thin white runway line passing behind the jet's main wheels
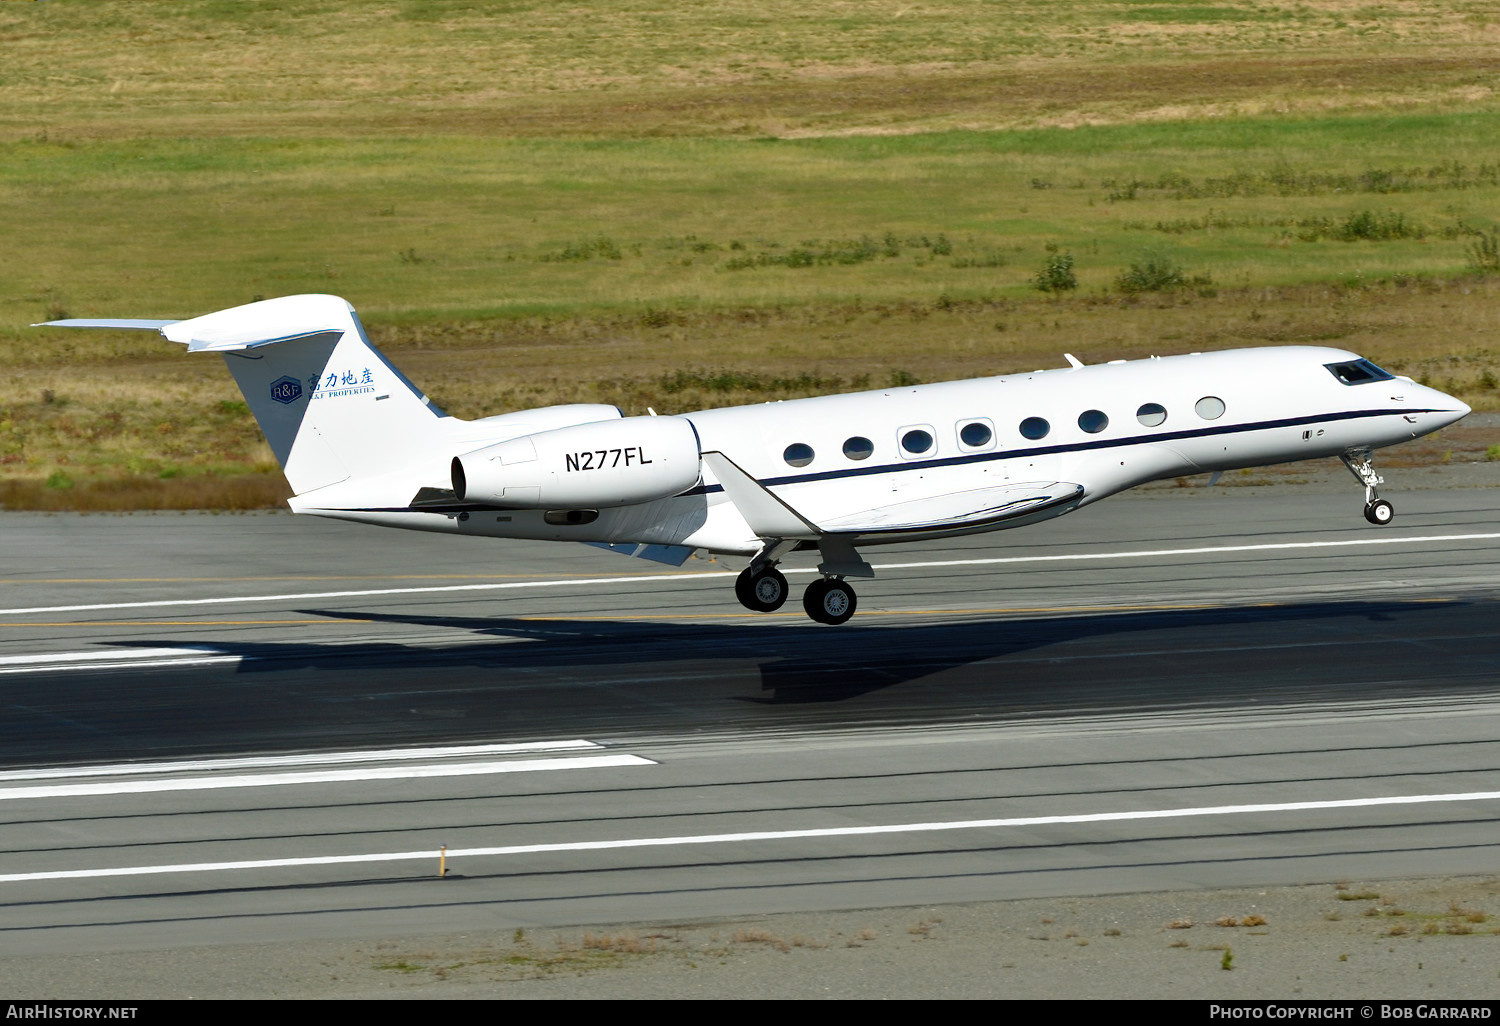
674,578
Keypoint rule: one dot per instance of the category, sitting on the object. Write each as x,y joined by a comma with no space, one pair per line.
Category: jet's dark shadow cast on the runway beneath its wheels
811,664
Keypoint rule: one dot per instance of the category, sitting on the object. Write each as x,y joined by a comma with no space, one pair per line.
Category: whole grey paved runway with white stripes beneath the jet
251,728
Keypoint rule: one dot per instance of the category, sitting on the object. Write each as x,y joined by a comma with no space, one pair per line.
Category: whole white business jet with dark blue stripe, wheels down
359,442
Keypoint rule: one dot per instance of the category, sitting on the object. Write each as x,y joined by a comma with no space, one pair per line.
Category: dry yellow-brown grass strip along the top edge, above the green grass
773,67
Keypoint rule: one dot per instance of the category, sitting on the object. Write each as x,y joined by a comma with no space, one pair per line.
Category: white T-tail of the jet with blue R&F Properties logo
331,406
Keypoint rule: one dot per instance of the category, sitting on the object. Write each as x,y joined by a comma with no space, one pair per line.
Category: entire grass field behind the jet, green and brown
682,206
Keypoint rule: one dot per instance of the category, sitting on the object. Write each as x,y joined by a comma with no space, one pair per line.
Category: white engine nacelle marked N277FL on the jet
614,463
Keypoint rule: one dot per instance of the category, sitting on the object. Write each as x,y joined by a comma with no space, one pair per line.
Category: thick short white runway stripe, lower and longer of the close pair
320,776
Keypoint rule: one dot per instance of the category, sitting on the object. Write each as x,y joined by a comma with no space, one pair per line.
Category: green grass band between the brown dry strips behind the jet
463,227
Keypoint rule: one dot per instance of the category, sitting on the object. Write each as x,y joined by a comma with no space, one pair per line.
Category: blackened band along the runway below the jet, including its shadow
529,679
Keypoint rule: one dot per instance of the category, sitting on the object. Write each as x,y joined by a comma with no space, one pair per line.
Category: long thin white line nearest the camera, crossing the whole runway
760,836
